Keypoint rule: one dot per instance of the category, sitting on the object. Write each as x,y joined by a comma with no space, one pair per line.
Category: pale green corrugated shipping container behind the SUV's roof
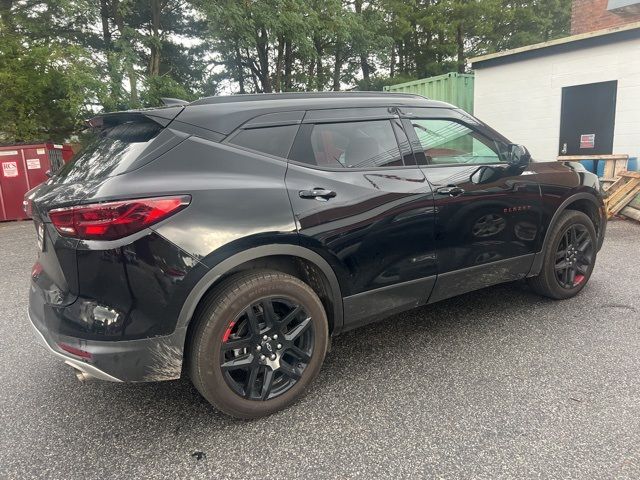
453,88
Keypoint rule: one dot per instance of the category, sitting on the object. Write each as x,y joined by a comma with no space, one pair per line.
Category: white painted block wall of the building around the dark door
522,99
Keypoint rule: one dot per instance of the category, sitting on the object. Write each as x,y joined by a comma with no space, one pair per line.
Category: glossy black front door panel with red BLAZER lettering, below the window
495,218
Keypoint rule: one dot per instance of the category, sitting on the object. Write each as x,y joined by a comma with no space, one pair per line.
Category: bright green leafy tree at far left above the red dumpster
47,84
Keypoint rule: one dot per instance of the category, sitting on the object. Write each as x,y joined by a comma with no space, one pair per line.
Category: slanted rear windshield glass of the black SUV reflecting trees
110,152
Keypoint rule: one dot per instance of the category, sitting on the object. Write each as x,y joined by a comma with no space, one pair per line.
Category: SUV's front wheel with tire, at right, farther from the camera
569,258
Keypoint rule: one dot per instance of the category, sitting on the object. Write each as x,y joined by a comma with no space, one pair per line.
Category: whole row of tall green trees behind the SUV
62,61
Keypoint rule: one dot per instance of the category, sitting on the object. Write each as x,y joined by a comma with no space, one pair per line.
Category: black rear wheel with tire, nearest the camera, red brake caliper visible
260,340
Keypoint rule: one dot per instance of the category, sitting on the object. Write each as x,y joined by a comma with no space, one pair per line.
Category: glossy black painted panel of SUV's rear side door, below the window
378,230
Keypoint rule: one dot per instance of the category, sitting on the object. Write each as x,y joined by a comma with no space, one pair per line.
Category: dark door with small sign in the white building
588,119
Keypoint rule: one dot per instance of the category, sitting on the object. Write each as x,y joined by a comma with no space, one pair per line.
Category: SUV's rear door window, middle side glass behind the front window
350,145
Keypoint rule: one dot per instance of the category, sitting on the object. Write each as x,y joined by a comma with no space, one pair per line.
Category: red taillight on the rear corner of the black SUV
113,220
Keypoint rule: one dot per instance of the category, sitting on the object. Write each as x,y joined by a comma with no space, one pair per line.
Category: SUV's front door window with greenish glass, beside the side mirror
449,142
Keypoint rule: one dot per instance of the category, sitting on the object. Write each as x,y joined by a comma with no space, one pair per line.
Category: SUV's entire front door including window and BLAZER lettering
487,212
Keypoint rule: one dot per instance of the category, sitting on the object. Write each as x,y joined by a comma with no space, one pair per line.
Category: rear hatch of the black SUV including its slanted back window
119,143
